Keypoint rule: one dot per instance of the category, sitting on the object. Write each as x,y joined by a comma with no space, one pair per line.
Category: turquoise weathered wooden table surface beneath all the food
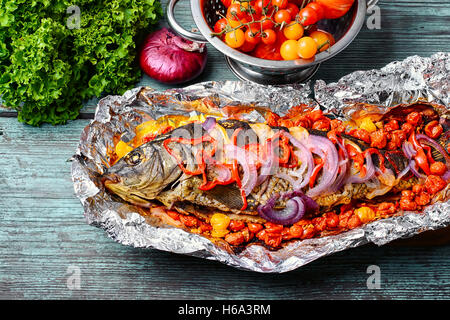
45,241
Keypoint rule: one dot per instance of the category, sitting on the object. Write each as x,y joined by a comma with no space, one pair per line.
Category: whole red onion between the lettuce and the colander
169,58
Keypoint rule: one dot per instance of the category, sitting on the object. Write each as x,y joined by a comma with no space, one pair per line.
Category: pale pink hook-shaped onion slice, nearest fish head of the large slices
247,160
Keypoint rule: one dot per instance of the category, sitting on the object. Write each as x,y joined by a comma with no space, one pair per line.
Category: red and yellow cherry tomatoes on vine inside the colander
279,29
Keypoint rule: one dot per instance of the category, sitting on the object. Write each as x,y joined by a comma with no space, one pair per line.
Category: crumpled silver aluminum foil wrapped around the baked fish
407,81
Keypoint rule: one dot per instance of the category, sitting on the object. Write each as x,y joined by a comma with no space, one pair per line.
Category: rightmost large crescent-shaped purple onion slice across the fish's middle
327,150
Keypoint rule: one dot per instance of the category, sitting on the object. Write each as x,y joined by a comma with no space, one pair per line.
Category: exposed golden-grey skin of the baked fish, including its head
158,177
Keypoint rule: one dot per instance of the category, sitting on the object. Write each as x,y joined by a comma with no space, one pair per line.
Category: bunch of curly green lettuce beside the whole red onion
54,55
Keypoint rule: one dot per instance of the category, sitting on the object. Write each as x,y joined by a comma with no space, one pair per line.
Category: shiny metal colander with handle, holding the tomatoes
247,67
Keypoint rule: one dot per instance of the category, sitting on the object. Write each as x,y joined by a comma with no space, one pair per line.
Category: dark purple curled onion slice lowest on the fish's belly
292,213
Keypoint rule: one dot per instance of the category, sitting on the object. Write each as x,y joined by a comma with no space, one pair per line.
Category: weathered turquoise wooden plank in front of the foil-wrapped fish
43,232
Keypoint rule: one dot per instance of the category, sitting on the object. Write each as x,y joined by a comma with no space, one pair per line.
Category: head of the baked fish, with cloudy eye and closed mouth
142,174
